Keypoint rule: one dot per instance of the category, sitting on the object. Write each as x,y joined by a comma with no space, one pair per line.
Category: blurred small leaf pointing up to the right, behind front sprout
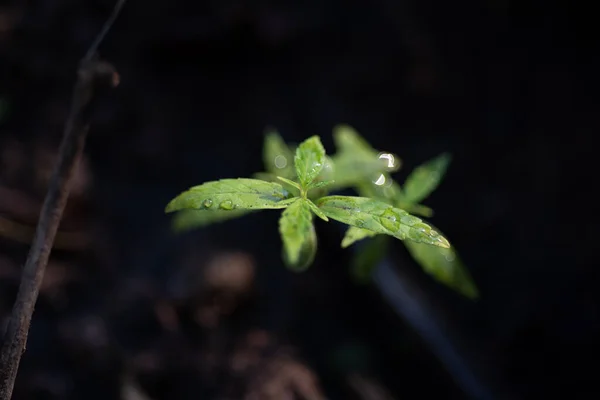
425,179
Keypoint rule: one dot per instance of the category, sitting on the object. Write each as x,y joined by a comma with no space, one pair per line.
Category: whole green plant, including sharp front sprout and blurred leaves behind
299,182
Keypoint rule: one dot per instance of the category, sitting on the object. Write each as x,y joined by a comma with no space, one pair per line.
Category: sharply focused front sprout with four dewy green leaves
296,197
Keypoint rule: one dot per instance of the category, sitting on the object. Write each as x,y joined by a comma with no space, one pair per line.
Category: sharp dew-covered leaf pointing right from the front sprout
379,217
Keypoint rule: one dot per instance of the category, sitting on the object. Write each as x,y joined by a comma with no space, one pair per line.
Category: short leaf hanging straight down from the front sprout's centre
298,235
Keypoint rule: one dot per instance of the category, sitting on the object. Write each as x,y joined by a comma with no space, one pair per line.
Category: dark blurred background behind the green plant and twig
130,311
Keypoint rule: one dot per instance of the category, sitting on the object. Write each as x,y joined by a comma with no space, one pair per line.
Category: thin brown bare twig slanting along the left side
91,75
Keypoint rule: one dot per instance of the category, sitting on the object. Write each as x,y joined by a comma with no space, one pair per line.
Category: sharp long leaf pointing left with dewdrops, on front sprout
230,194
